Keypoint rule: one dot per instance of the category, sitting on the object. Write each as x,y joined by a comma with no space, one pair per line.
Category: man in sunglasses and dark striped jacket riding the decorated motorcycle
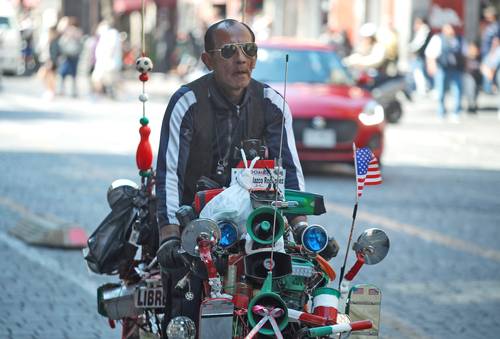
203,124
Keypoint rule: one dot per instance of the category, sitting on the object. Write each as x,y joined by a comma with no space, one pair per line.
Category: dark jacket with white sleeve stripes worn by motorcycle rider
200,127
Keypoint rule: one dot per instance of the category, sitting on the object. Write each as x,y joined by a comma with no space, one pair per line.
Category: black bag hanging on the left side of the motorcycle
108,246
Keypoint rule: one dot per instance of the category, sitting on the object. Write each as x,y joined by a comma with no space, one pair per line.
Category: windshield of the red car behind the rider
309,66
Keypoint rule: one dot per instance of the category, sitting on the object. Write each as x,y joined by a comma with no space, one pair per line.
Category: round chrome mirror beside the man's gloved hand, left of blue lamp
206,228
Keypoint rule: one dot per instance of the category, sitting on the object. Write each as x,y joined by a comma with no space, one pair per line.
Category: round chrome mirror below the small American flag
373,244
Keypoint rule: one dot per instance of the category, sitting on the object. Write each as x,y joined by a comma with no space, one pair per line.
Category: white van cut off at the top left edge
11,57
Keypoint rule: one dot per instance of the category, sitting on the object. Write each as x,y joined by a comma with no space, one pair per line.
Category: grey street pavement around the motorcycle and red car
439,205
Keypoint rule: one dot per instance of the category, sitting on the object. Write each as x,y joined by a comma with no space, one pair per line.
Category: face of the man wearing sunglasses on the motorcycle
232,74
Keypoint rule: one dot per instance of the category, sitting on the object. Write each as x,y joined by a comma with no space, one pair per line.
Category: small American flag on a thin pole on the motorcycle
367,169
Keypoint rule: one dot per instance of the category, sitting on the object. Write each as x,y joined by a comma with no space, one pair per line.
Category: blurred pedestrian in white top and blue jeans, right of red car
445,61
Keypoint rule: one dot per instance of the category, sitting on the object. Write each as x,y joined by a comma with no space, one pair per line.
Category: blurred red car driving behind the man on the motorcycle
330,112
